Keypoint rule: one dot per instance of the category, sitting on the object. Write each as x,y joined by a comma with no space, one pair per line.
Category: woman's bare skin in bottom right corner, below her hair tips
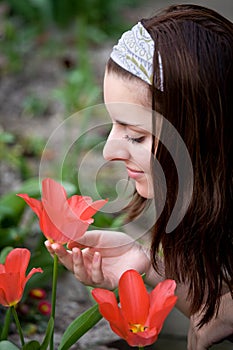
216,330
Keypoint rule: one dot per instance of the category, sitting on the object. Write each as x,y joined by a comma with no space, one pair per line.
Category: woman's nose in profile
115,148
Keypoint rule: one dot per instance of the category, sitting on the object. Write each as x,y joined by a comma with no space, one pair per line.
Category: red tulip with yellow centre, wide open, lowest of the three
141,315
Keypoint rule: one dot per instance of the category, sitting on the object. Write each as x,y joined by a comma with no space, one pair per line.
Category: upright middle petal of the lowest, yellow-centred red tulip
134,297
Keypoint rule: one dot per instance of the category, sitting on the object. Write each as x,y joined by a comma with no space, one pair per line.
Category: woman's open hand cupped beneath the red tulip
100,257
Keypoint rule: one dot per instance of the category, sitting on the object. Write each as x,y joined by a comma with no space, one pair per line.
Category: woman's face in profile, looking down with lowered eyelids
130,140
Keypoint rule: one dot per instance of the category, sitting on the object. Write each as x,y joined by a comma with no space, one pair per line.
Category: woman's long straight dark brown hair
196,49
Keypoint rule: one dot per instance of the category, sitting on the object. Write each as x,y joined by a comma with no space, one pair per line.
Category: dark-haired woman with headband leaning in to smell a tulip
179,64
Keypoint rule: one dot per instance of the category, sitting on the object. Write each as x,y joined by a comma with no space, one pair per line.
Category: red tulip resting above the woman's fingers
62,219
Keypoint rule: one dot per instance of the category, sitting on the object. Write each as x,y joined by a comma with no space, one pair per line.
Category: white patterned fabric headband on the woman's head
134,52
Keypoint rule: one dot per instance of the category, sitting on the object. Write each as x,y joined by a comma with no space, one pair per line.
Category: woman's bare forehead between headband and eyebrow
127,101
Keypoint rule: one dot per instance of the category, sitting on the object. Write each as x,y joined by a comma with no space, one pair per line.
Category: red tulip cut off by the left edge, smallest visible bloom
13,276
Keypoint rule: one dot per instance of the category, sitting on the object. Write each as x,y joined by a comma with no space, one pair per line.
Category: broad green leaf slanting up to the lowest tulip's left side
79,327
